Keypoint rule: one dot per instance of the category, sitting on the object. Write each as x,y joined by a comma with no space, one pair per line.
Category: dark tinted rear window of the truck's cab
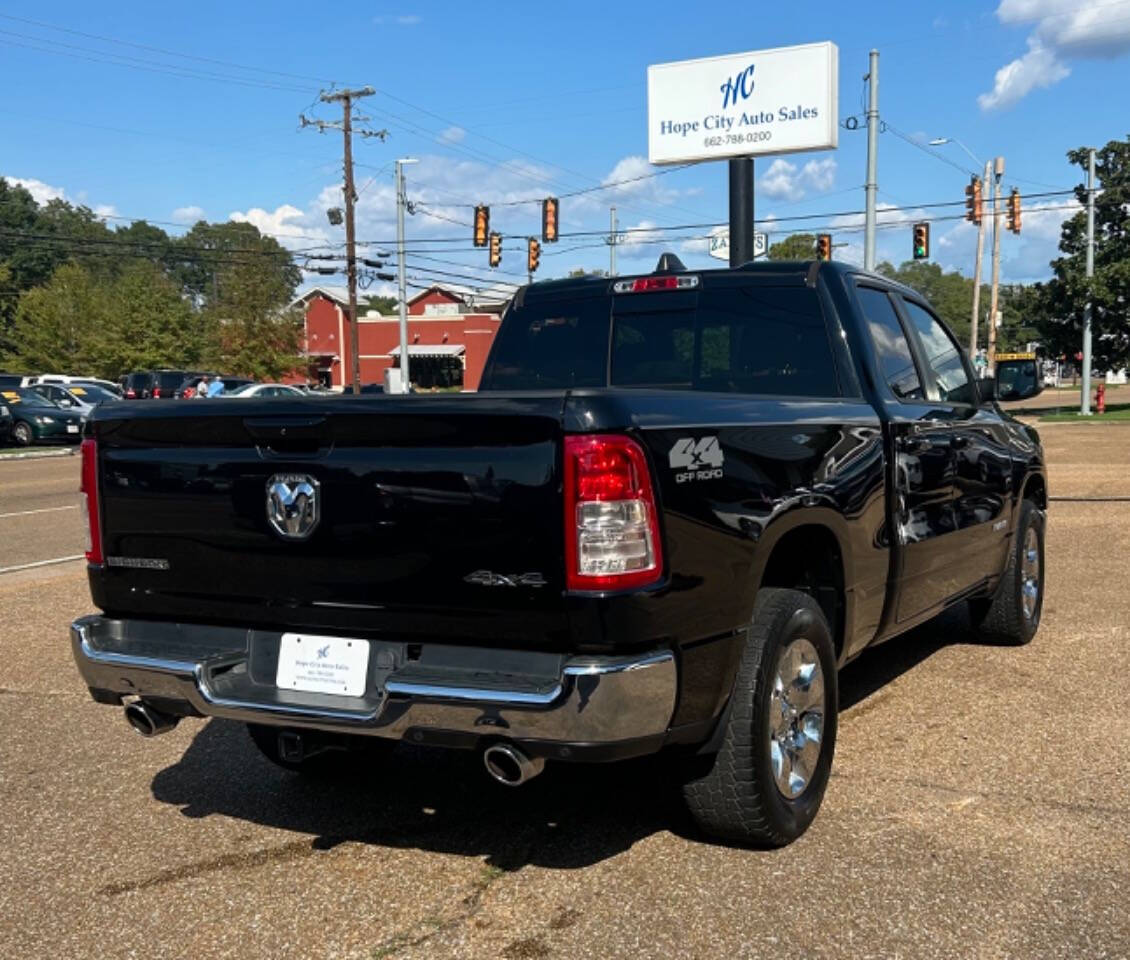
738,335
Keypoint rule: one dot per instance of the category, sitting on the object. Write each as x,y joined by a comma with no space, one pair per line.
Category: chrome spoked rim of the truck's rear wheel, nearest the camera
797,714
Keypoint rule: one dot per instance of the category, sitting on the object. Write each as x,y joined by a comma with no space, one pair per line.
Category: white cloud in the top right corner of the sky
1065,30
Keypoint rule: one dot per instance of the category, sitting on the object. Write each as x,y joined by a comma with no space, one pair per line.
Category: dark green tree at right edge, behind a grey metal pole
1057,308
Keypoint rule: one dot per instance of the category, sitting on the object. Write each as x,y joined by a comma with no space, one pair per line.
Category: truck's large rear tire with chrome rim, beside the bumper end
767,783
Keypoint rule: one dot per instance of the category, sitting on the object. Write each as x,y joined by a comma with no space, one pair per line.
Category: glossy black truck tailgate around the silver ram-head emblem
437,518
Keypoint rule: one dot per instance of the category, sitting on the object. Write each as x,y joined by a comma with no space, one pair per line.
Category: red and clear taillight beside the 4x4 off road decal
612,521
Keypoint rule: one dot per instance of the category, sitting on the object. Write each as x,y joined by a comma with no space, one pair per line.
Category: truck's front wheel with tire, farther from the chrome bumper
1013,616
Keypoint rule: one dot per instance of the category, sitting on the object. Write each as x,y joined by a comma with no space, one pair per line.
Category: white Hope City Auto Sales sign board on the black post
779,101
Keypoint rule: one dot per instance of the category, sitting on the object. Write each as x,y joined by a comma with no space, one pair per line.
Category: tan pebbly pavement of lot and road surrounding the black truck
980,802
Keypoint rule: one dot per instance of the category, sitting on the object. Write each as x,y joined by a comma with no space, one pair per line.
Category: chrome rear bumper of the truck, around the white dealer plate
228,673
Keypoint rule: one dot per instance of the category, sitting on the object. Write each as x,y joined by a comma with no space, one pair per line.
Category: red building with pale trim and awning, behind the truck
450,333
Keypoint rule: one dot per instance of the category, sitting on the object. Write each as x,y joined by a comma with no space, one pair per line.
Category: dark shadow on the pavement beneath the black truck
442,801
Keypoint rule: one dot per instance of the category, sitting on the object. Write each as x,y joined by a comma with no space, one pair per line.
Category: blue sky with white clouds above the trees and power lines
511,101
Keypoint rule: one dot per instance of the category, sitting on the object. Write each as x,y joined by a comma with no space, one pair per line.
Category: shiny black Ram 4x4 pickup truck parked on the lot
677,507
